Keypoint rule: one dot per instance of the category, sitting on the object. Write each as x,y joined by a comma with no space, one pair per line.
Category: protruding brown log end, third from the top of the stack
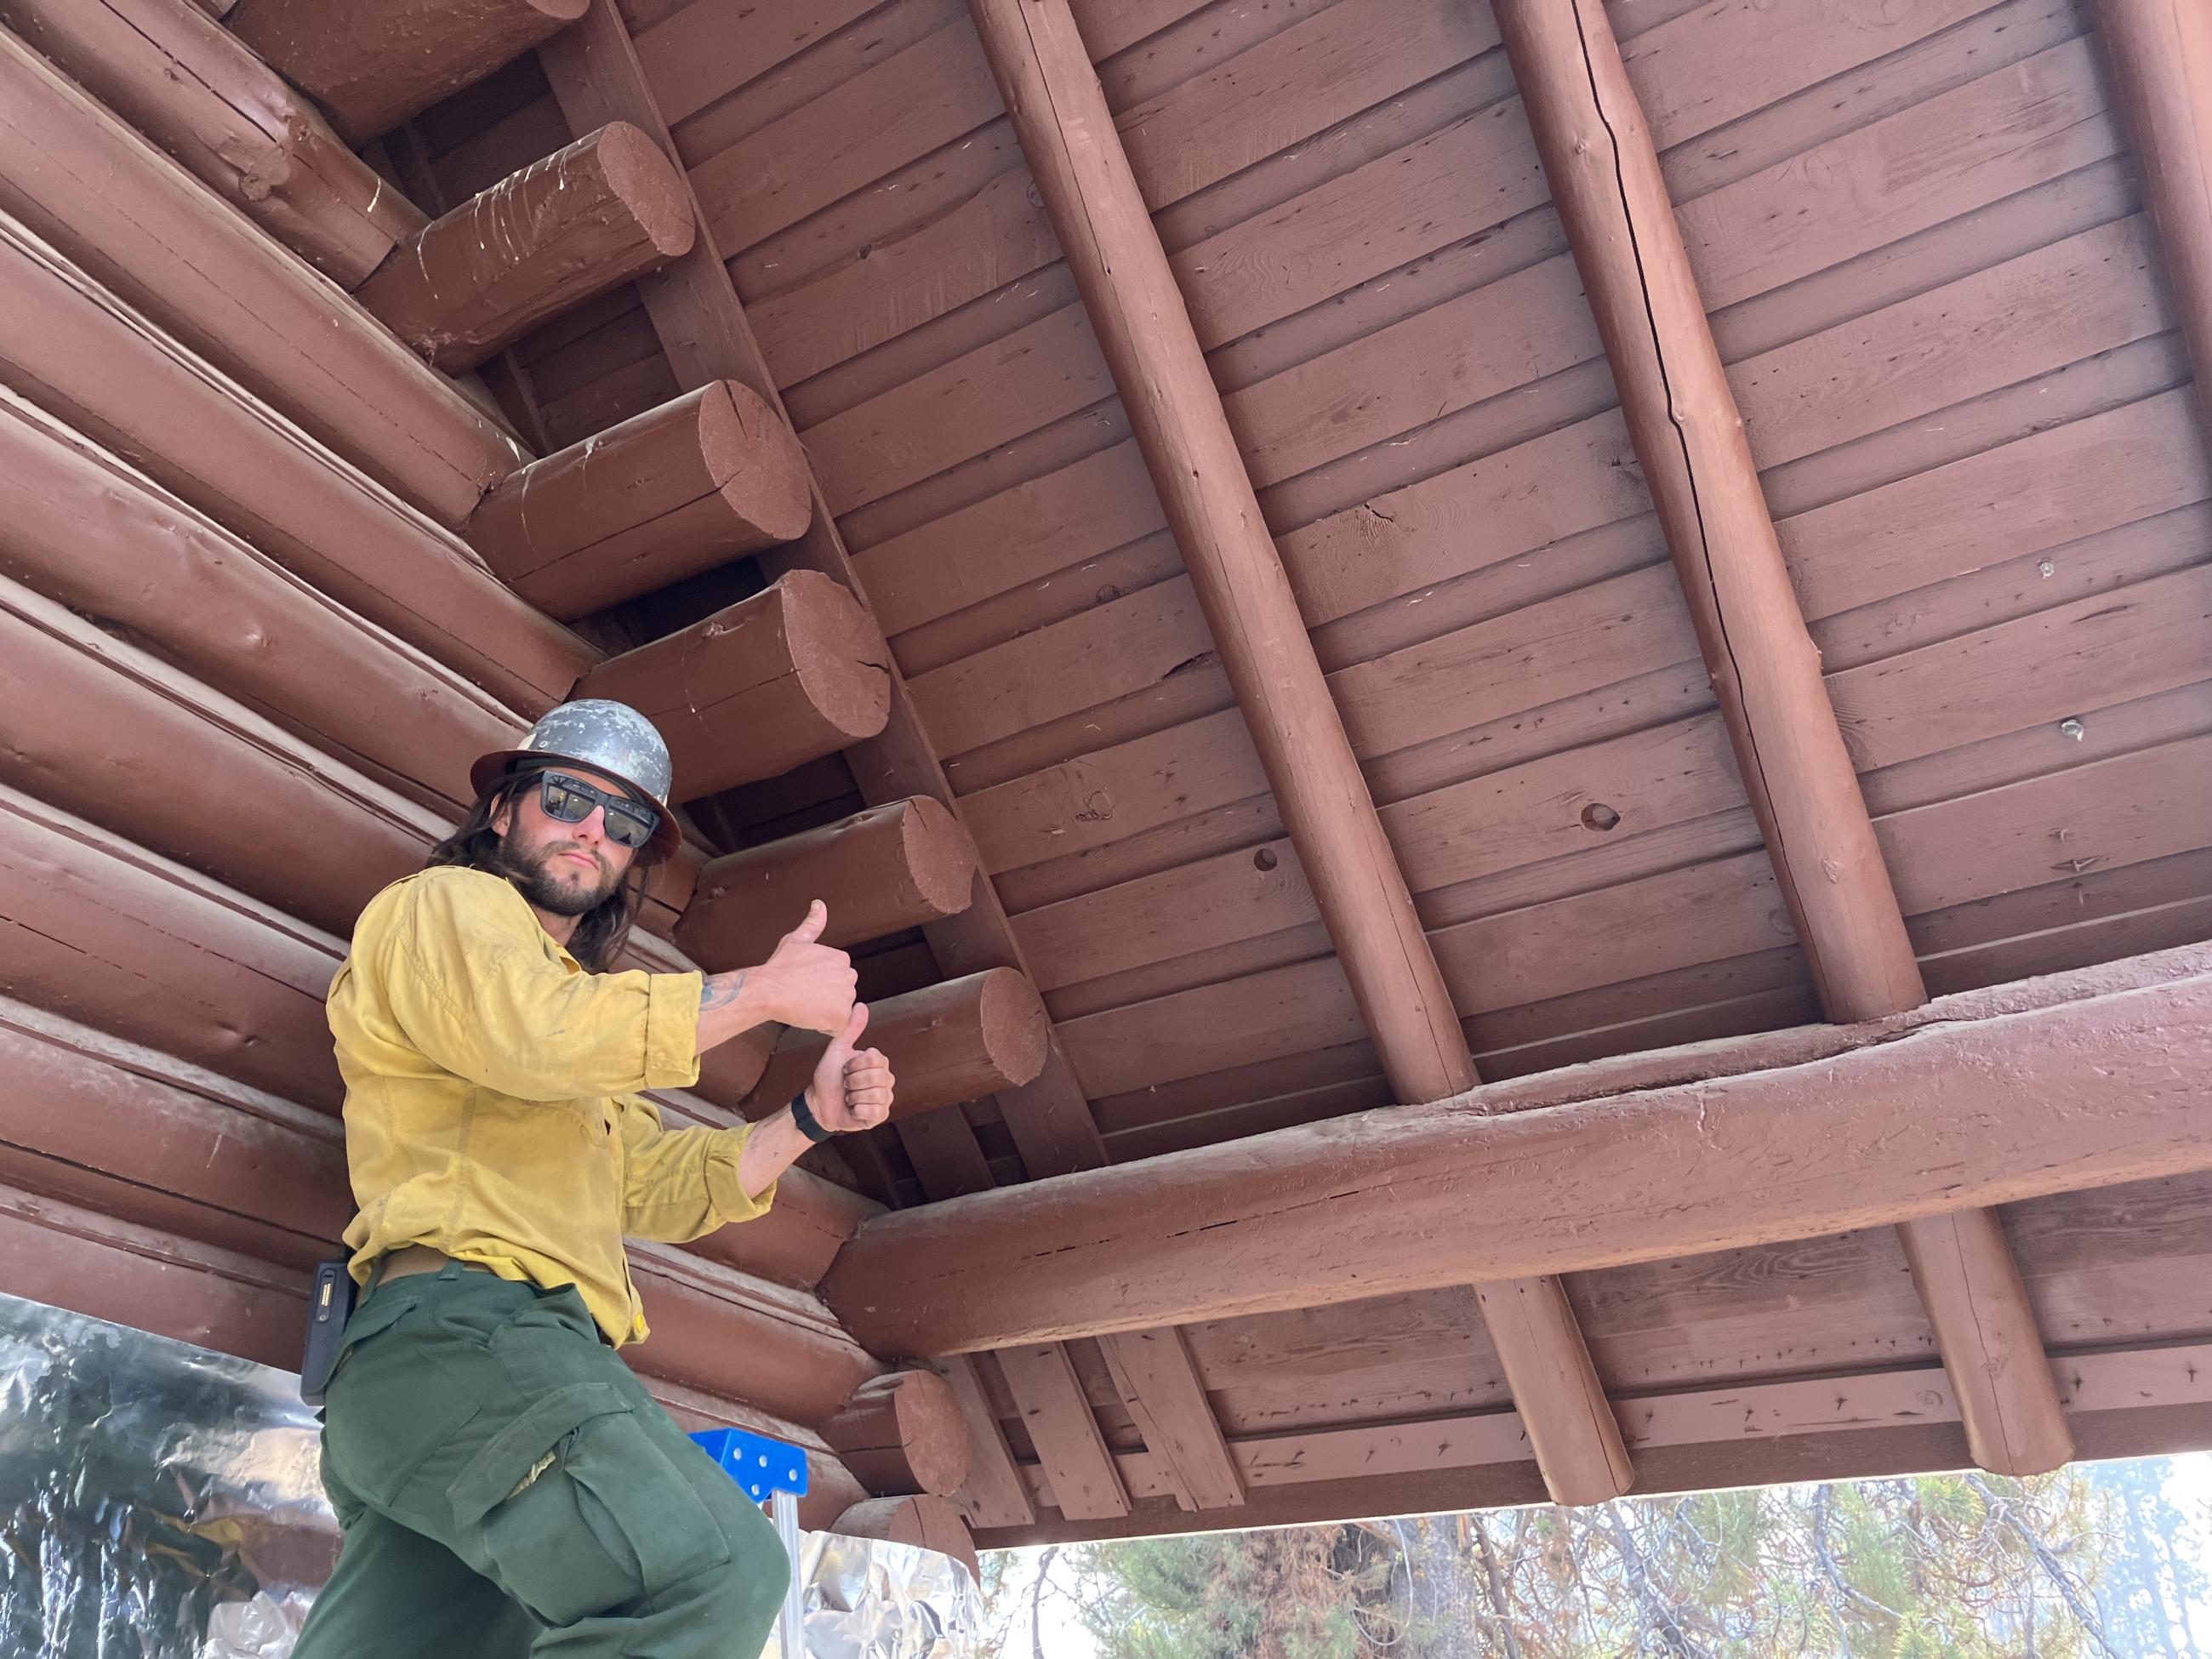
662,497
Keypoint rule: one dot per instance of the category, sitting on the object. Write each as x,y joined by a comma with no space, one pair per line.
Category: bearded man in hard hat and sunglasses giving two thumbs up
503,1479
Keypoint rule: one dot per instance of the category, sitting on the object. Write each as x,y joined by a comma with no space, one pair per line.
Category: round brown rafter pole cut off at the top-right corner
2162,70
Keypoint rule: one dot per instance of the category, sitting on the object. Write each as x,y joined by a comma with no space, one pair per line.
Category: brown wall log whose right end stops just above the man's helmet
94,364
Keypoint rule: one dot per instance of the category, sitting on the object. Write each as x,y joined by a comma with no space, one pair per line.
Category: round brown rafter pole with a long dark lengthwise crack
1766,671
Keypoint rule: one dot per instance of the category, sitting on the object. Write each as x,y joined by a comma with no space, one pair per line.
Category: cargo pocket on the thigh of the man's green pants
581,1514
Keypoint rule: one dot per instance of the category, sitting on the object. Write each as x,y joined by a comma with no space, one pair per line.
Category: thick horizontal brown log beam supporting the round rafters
2078,1081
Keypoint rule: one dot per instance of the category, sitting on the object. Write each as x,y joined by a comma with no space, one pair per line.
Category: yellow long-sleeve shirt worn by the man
490,1098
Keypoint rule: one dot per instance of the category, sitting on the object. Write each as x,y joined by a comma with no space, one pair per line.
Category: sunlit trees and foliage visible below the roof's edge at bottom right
2094,1563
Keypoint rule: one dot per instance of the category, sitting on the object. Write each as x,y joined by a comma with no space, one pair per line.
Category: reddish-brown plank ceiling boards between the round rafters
1930,271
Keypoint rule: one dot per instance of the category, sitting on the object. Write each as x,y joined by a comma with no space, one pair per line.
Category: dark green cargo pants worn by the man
508,1490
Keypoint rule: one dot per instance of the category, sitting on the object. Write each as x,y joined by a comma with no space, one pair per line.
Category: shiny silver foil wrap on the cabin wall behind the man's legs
163,1503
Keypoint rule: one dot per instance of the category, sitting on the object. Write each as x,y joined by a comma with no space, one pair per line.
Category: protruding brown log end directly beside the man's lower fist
950,1043
